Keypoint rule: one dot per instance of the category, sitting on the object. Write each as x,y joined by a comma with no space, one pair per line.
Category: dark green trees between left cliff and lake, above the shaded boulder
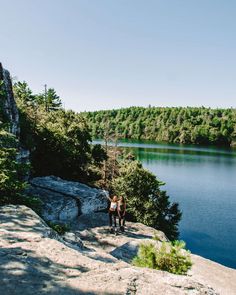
59,140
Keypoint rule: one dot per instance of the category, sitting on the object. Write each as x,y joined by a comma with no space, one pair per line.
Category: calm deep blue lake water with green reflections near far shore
203,181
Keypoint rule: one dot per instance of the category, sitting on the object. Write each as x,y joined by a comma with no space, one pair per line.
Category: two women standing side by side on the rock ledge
117,207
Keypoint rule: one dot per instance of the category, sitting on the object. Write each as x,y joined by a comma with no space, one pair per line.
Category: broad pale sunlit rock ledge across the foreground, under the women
34,261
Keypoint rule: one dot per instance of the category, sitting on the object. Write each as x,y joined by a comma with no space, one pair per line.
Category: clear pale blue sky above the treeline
101,54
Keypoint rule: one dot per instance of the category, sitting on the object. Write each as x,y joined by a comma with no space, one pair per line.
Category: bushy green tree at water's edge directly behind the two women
146,203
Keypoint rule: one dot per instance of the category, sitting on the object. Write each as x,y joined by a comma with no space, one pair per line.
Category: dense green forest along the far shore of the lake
189,125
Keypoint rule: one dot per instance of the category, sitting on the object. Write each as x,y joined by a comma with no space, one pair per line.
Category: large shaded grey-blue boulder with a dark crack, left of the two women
65,200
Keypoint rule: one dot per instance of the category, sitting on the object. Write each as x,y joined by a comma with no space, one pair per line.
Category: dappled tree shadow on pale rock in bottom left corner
23,272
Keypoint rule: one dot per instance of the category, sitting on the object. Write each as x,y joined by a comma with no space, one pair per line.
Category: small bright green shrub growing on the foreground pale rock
171,257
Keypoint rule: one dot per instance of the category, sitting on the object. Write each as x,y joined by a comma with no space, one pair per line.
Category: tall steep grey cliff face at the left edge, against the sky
8,102
